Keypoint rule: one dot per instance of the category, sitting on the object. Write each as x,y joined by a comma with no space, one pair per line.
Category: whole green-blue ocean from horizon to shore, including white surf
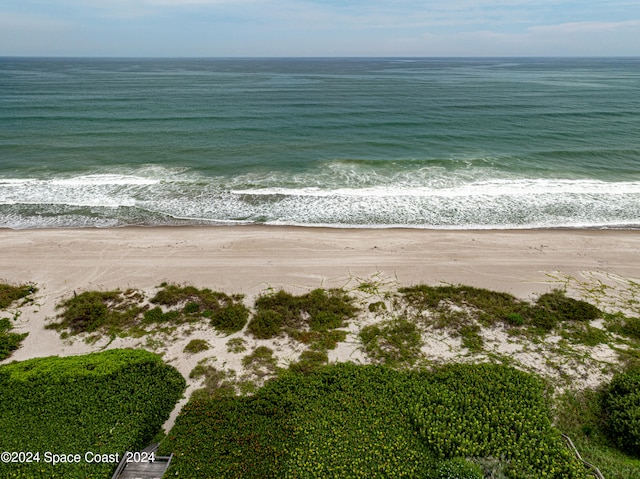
431,143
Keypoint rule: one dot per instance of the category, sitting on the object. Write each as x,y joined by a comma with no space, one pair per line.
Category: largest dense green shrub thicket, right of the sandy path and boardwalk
353,421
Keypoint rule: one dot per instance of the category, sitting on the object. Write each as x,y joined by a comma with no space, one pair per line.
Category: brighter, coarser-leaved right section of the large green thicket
489,411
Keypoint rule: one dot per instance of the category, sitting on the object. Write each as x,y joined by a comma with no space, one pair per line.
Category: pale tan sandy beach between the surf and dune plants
250,259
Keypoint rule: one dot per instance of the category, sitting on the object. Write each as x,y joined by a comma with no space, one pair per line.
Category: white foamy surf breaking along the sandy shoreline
341,194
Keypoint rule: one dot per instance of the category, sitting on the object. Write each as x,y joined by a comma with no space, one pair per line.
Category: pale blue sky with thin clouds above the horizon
311,28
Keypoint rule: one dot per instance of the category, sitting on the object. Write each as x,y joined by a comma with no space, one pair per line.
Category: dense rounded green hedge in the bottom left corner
105,402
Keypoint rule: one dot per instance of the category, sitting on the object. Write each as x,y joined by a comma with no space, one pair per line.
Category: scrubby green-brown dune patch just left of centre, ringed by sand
319,311
